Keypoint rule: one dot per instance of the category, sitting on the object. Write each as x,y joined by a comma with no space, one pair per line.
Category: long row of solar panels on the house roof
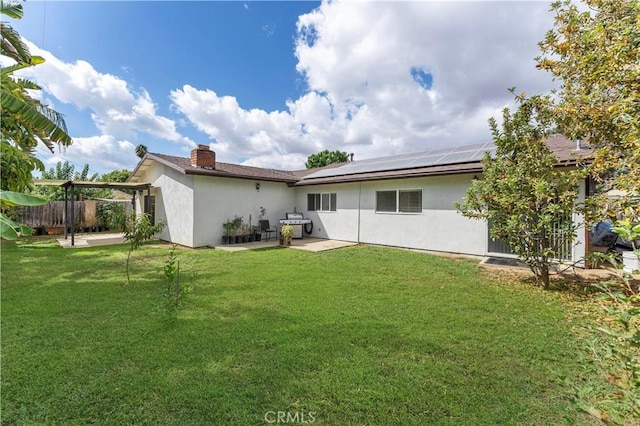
444,156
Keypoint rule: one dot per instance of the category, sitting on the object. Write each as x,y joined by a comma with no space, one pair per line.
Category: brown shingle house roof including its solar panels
462,159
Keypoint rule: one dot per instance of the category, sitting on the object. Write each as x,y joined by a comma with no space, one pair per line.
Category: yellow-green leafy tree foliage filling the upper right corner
595,52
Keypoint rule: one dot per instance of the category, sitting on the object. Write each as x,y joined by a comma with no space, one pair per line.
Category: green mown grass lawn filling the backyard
360,335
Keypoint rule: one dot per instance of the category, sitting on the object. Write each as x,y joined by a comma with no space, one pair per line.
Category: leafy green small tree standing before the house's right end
528,201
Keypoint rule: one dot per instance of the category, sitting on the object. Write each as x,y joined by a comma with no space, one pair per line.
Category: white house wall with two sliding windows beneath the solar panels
438,227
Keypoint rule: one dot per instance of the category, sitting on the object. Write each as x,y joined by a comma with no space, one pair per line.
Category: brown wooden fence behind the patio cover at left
51,215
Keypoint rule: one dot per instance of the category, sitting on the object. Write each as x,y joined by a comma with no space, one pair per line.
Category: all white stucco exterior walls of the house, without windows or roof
195,207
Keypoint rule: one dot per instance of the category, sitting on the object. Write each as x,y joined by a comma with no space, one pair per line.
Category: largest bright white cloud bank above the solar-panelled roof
357,59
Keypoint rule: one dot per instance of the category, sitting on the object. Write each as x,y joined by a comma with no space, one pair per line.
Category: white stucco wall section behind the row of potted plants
219,199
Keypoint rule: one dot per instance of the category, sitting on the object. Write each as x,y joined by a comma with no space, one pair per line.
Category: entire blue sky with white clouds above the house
268,83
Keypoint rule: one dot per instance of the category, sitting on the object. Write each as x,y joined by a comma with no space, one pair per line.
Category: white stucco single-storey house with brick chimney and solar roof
404,201
